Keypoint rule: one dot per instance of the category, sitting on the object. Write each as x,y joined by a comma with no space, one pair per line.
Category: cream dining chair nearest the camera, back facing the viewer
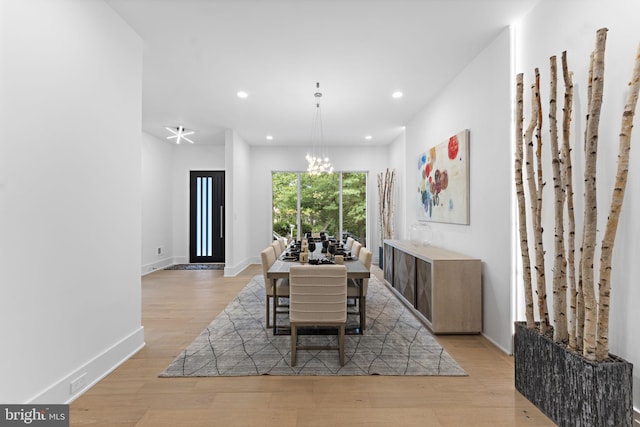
318,297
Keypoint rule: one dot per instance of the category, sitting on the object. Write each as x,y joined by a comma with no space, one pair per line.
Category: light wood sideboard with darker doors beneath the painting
441,286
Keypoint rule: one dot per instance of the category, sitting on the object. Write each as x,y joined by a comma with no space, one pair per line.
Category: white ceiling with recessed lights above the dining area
199,53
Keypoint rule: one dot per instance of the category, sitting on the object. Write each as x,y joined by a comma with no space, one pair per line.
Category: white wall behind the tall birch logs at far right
571,26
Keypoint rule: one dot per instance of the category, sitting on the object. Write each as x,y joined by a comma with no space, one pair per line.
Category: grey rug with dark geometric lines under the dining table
237,343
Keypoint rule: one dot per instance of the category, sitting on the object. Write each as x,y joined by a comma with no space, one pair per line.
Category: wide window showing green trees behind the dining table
335,203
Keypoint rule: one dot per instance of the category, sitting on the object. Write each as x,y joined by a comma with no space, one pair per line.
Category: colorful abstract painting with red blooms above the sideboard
443,181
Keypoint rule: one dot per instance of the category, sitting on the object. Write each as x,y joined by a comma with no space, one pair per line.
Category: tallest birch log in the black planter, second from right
590,204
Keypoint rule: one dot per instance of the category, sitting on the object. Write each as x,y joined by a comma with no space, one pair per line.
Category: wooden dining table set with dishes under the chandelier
356,270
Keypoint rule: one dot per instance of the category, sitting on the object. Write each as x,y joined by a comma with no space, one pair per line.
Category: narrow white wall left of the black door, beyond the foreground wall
157,203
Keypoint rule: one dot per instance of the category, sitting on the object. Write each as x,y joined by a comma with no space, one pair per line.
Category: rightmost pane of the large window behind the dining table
354,205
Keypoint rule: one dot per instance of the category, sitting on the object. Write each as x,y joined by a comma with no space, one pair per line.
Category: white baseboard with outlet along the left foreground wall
93,371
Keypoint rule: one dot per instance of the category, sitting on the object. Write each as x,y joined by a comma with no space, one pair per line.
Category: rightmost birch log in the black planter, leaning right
602,350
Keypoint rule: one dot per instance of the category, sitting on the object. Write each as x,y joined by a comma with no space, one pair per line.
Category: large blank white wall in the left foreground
69,196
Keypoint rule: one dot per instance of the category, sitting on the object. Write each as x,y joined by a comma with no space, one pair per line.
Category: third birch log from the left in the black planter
559,264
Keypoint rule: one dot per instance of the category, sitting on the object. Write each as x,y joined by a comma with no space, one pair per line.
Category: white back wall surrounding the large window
265,160
